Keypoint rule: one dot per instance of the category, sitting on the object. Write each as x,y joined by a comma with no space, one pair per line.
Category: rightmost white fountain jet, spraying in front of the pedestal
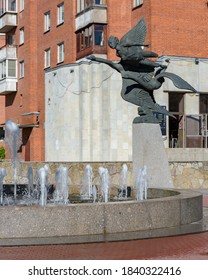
141,184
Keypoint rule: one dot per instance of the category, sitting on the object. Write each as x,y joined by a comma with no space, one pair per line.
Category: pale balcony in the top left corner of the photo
8,15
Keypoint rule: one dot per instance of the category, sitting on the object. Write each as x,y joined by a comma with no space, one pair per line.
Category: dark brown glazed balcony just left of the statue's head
92,39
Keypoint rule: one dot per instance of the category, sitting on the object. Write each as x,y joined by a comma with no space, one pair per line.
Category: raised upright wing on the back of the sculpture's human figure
135,36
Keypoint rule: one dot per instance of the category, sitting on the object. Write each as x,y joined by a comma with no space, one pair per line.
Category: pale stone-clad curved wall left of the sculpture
86,118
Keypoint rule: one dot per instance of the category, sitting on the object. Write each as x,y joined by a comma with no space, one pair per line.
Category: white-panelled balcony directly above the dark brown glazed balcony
94,11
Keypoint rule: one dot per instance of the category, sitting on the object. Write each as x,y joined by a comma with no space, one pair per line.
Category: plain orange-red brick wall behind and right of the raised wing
177,27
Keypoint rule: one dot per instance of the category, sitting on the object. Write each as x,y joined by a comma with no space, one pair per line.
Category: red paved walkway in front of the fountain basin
191,246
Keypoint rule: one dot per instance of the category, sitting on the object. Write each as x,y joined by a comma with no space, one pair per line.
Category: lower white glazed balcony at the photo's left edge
8,70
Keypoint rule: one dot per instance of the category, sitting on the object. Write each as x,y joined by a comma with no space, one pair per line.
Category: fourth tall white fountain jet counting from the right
86,189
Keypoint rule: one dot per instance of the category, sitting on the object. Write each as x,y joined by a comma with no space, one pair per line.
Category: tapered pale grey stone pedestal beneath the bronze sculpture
149,150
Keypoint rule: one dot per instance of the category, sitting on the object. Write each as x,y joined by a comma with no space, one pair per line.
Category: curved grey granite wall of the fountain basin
172,208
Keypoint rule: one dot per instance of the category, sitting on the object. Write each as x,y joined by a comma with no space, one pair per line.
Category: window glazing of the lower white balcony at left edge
8,69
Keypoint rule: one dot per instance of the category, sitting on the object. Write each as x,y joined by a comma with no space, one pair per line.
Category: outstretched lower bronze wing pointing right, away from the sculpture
177,81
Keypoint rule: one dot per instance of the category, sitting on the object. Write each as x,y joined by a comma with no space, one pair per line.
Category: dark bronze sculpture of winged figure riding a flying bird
140,75
